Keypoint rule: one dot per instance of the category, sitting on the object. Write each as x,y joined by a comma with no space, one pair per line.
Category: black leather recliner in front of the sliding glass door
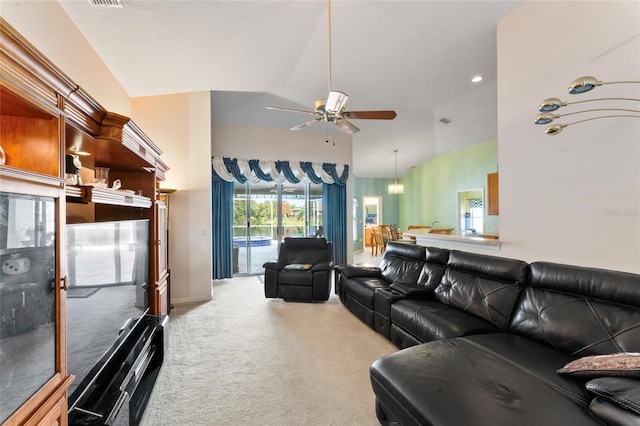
302,272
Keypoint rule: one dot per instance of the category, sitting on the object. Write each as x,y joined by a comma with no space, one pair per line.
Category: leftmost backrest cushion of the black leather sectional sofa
402,262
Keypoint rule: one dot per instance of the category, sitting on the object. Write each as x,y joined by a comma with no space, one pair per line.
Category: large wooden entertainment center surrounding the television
45,117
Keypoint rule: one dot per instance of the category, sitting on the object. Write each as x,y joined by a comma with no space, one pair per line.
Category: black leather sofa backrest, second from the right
485,286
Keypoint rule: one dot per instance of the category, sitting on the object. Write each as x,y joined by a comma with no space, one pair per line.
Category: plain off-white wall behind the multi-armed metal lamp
573,197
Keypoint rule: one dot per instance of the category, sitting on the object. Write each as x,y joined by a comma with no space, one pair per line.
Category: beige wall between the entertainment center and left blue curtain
180,125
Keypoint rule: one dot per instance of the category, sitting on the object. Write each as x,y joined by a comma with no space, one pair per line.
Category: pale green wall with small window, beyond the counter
430,190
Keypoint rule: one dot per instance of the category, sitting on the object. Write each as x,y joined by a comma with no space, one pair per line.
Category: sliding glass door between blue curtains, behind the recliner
264,214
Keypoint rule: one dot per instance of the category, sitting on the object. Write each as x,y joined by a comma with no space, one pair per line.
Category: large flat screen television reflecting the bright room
107,272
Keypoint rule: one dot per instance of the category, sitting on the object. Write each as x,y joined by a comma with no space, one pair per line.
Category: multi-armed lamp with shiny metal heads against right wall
577,87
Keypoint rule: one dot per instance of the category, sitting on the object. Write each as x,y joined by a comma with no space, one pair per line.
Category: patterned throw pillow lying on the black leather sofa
619,364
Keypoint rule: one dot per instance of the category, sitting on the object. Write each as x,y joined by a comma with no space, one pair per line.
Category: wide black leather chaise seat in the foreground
480,380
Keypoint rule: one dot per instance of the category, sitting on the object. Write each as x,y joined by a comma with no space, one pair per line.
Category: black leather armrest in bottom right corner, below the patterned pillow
617,401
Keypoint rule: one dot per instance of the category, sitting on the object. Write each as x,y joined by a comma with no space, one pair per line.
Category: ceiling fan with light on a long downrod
333,108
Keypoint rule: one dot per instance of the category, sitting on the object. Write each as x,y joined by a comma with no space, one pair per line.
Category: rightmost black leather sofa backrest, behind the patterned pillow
580,311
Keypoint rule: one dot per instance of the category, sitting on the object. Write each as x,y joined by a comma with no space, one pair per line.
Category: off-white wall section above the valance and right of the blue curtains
257,142
